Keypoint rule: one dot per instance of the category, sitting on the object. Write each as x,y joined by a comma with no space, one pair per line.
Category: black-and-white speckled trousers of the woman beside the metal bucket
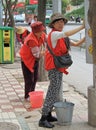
52,95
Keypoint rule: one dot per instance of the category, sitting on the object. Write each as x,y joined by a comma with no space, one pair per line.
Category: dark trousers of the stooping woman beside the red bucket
30,78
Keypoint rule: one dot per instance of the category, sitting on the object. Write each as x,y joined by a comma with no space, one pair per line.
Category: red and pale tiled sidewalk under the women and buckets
14,109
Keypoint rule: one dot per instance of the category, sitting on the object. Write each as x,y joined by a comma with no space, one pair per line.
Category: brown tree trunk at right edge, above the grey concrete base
92,23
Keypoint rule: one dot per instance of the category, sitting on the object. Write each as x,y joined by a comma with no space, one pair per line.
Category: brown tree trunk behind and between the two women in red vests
41,17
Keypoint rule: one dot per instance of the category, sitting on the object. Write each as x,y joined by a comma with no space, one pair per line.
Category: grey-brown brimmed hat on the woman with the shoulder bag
55,17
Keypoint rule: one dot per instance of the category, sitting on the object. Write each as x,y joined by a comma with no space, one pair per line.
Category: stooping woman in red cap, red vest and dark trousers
30,54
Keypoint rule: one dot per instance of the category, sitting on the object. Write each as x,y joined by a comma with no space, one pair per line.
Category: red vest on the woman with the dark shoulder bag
60,49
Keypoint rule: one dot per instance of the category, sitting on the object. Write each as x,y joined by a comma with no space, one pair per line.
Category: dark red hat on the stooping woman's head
37,27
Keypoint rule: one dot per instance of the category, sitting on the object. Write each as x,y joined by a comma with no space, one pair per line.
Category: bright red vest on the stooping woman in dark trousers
25,51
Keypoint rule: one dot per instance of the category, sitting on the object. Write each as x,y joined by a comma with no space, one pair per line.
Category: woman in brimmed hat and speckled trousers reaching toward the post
56,42
